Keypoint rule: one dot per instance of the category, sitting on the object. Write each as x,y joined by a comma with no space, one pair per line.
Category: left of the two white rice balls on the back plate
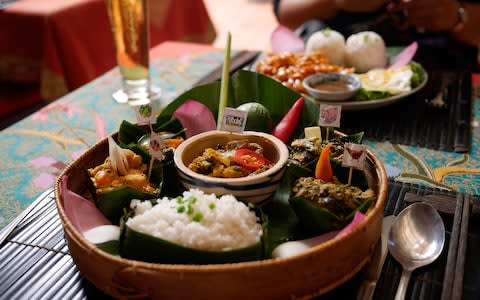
330,42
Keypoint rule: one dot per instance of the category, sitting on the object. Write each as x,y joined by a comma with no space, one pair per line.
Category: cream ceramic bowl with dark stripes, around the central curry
254,188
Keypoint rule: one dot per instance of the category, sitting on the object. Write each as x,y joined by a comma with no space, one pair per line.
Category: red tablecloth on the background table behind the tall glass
51,47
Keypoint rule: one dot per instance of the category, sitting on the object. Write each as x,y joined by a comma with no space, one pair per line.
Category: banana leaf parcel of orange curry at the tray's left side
127,173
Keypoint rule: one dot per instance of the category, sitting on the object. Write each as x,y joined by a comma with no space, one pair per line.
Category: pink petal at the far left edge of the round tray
82,213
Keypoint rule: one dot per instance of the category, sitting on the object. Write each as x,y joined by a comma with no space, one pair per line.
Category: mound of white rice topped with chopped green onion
199,221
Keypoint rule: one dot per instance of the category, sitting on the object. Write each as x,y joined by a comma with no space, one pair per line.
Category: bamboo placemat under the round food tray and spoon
35,261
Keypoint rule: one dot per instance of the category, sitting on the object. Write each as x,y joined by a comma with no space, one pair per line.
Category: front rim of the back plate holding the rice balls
369,104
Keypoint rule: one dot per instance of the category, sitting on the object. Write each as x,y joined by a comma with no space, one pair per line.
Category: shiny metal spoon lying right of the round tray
416,239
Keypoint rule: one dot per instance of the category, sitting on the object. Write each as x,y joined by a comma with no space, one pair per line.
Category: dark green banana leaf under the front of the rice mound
144,247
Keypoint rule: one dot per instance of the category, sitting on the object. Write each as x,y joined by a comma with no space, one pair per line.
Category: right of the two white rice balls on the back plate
366,51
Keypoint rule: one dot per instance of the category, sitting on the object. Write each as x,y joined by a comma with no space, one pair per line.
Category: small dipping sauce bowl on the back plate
332,86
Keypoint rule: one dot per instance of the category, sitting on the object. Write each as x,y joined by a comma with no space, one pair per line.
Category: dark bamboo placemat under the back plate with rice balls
437,117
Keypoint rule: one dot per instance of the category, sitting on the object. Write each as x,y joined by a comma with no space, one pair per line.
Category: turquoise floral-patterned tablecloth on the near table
36,149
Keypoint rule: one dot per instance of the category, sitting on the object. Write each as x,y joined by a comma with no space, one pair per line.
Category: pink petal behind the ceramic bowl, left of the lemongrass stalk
195,118
